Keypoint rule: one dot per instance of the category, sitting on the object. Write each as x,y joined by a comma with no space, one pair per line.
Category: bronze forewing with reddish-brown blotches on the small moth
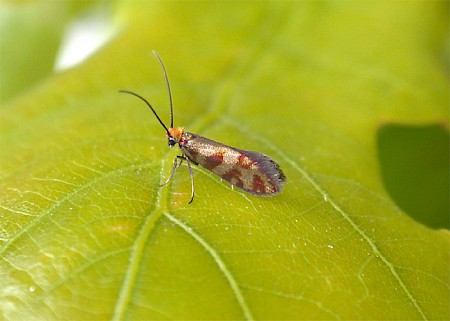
253,172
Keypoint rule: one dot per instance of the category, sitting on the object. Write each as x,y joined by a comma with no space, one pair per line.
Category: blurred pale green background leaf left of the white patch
30,37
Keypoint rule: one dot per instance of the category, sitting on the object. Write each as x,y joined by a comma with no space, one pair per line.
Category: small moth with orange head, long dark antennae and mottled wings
252,172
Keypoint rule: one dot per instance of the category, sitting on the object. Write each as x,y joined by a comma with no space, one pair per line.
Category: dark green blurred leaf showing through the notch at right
415,165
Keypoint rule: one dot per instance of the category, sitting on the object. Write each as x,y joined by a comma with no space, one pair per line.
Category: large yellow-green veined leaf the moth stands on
86,233
